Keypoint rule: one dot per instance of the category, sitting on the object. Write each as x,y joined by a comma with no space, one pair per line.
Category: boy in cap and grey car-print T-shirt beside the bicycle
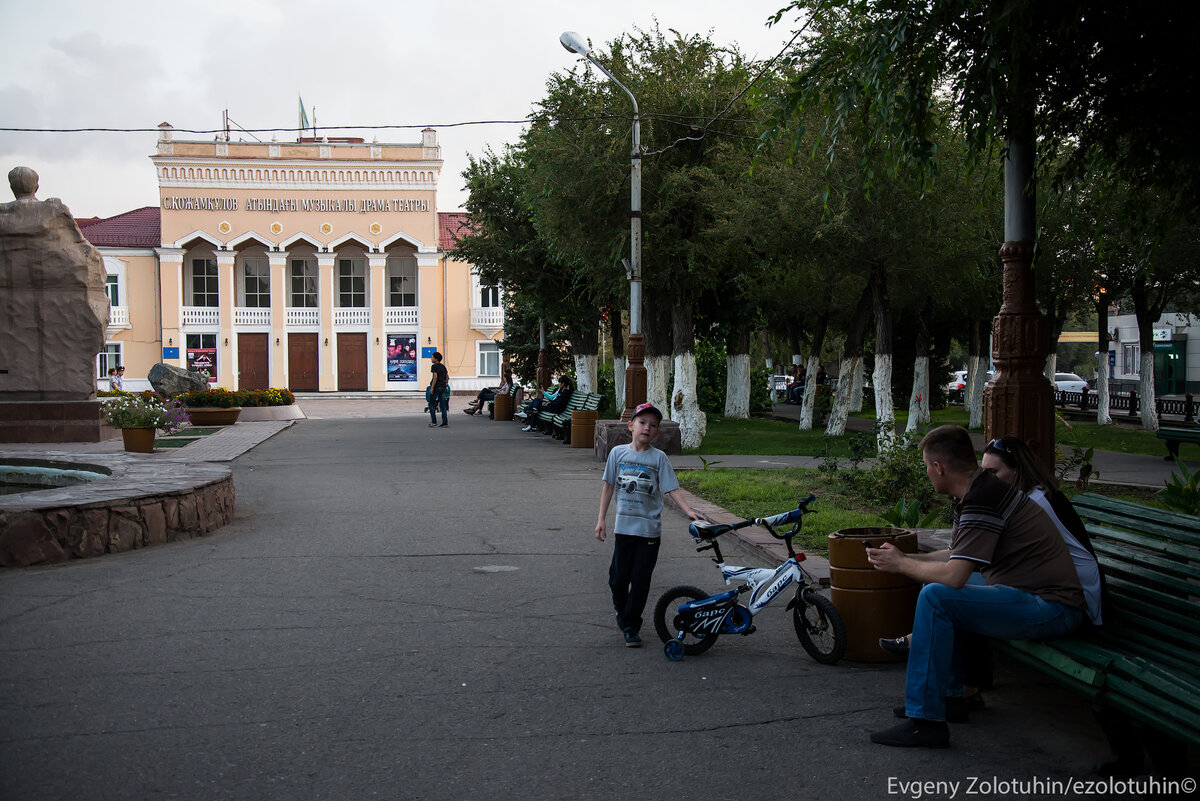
640,475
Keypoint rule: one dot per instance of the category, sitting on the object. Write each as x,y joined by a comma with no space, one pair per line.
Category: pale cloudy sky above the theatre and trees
123,64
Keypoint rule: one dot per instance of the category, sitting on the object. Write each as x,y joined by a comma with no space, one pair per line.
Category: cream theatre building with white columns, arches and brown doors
315,266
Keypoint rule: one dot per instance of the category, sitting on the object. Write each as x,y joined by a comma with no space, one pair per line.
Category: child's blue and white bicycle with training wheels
688,621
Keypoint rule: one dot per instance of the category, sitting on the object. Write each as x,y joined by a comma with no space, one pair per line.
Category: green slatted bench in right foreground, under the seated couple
1144,664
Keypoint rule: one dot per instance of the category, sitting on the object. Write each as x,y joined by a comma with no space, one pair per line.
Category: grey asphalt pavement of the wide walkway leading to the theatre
411,613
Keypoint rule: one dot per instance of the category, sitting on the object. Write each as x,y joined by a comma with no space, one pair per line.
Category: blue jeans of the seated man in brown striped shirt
935,660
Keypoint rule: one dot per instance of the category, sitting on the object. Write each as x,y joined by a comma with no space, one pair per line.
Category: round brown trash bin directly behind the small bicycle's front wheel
873,604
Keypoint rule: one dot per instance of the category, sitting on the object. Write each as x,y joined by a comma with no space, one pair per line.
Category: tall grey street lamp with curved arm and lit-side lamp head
635,351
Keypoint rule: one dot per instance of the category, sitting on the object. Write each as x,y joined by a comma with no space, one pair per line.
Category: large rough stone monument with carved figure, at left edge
53,316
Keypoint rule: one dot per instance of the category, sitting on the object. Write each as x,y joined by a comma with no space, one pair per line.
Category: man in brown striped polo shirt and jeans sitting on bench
1027,587
